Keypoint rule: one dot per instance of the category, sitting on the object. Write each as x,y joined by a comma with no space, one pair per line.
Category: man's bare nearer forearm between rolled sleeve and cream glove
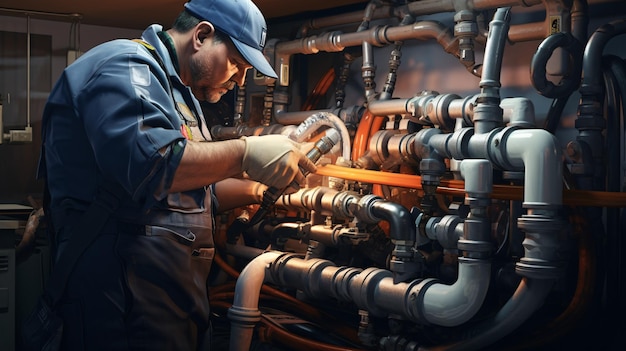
205,163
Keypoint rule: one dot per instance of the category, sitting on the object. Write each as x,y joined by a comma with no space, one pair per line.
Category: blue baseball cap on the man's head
243,22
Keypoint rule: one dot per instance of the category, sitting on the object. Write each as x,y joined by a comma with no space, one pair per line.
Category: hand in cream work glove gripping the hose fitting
276,161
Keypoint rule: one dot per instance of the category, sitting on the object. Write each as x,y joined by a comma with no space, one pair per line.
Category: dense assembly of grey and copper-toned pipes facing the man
455,209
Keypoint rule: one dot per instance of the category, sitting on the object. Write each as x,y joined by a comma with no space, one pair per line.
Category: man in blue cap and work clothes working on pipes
126,116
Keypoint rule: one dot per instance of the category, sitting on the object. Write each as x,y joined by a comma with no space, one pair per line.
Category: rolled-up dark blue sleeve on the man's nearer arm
132,125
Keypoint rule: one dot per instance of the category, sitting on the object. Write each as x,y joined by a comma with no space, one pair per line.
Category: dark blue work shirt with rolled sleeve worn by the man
111,117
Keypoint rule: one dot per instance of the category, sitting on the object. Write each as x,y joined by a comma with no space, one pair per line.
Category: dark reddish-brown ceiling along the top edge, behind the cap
138,14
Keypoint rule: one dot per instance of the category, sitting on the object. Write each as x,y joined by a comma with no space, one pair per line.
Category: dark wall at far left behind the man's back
50,42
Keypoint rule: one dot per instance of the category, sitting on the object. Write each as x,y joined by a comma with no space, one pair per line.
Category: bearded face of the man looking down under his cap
215,69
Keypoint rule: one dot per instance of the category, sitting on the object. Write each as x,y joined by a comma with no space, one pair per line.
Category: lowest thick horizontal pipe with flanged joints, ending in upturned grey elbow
373,289
